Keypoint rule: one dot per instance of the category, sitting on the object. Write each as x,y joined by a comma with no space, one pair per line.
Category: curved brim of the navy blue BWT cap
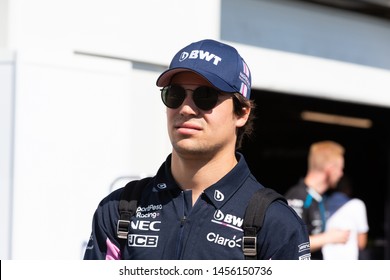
165,79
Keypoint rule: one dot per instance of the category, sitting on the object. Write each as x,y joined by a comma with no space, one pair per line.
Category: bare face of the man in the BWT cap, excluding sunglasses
195,132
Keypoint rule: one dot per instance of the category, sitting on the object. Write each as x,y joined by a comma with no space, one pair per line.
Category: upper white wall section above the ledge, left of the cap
148,30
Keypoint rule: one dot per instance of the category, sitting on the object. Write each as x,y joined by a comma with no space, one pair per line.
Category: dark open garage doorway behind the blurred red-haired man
277,152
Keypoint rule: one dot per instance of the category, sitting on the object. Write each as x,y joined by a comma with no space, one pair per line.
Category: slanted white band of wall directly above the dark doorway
317,77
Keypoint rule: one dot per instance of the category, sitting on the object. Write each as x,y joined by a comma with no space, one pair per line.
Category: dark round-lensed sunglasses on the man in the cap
204,97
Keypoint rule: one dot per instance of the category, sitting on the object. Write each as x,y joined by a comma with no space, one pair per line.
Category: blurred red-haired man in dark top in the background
325,169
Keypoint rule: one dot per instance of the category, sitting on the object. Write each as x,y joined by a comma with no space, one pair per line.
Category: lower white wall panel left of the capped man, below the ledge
81,123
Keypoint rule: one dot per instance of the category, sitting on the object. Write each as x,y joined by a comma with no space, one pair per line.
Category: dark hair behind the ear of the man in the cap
239,103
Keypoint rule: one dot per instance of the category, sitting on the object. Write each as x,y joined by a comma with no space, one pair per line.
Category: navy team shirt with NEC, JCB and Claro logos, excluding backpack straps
167,226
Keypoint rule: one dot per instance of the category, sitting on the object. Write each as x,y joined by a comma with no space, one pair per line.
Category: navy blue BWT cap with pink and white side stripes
218,63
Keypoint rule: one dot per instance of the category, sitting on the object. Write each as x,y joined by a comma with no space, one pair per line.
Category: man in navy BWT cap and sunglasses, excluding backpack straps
194,207
